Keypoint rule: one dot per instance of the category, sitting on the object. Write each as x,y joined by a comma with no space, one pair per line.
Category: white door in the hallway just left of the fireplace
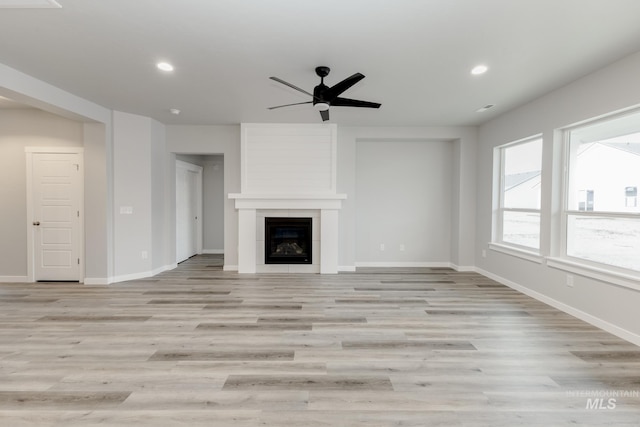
188,207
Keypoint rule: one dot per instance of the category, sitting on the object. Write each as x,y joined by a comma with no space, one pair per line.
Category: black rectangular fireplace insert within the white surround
287,240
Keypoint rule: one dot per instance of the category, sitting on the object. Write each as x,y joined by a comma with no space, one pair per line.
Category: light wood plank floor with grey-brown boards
197,346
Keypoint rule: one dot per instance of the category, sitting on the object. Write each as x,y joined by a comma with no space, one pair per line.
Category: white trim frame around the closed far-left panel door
29,152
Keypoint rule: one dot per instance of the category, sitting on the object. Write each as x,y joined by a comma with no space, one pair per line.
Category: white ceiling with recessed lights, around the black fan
416,54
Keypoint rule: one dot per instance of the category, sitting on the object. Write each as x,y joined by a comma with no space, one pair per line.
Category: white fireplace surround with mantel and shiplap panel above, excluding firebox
288,170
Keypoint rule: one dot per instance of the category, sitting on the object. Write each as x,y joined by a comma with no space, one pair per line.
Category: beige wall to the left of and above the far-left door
20,129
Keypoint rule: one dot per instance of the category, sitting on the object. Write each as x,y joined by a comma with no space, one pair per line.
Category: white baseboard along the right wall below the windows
593,320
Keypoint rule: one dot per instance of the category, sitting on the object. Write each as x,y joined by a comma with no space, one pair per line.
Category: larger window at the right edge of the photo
601,216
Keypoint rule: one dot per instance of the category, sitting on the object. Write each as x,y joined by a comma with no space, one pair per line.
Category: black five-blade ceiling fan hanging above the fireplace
325,96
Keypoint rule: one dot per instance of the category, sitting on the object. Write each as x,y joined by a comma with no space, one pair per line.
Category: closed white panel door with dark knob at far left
56,192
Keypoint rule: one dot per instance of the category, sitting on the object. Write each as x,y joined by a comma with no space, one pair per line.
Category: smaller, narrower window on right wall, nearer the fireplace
518,214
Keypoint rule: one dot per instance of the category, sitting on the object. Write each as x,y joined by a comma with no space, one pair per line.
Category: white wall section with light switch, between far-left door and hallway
139,188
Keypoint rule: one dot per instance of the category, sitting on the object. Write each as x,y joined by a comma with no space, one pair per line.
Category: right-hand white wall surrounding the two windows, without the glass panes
610,89
